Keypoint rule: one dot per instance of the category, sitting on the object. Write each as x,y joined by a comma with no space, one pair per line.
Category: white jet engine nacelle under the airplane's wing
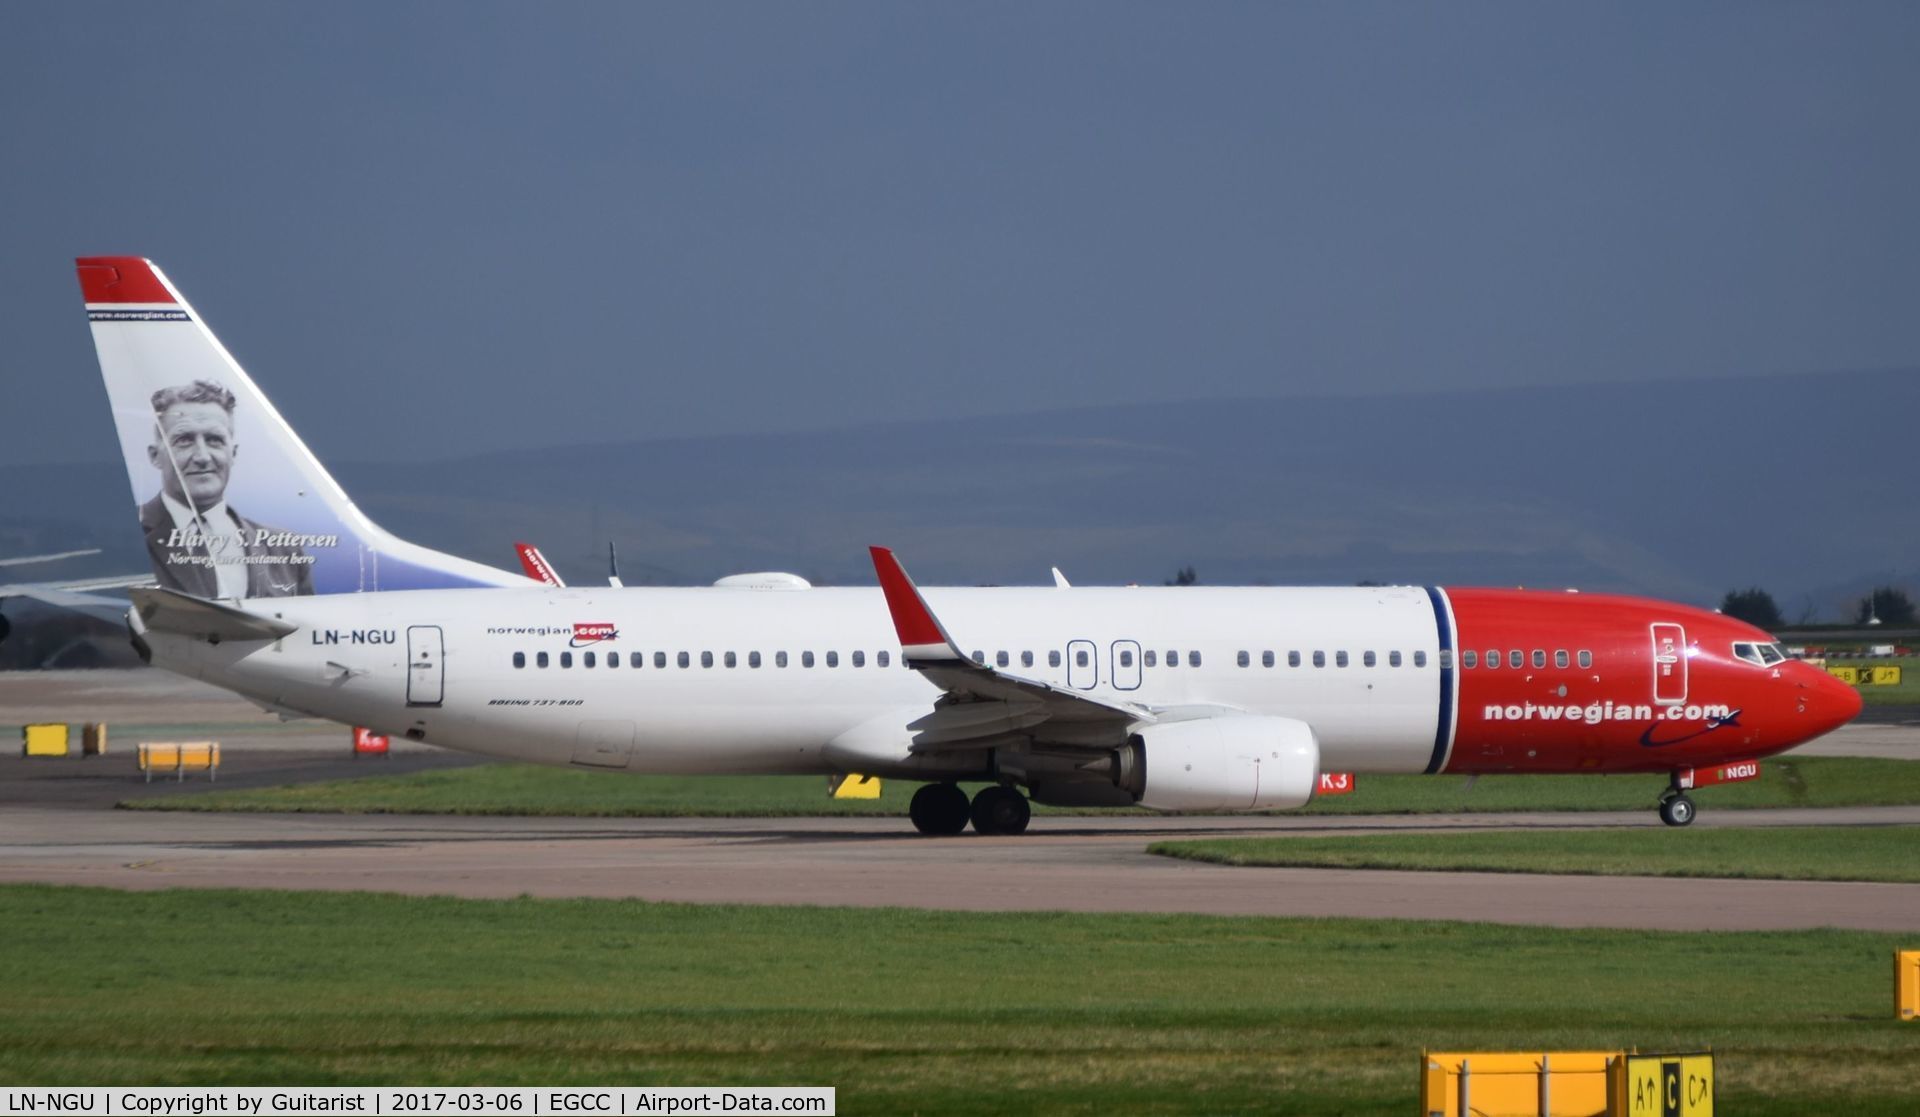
1230,763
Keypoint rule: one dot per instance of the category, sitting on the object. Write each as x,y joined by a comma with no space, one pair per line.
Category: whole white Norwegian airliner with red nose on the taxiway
276,586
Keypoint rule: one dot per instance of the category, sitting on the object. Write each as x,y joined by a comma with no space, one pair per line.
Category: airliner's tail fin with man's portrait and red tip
222,523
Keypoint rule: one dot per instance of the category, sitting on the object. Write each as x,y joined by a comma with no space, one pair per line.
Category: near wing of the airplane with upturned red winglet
986,707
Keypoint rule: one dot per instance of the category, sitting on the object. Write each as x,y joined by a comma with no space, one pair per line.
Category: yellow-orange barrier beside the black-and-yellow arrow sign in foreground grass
1518,1083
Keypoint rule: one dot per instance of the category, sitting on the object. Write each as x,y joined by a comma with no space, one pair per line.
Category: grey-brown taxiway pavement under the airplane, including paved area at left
57,826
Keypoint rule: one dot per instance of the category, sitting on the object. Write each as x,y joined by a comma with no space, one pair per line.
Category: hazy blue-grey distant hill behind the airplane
1800,485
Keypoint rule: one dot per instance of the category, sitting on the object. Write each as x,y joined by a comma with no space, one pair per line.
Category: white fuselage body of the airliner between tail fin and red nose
441,667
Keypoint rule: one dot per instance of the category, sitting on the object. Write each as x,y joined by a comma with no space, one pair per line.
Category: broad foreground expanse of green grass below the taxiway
913,1012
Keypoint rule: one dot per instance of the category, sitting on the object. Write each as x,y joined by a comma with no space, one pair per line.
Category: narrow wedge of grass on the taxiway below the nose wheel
1827,853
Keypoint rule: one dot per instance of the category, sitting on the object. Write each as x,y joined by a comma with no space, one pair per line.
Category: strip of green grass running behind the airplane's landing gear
560,792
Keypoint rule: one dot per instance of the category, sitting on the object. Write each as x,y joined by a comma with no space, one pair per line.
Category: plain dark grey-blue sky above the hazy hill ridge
429,229
